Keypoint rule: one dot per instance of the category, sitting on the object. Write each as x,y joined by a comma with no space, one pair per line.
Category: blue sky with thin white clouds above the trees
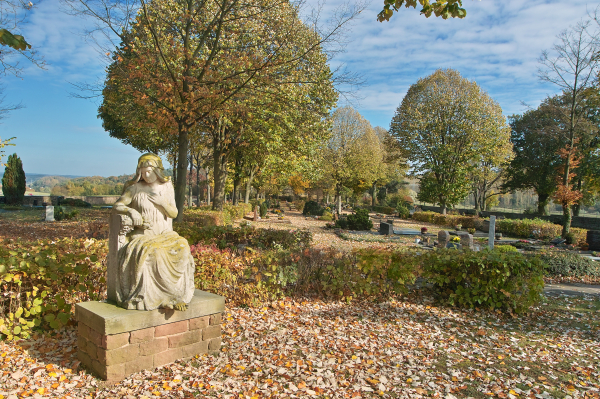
497,45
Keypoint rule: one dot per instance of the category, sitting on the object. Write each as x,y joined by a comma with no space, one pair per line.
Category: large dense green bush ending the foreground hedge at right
486,279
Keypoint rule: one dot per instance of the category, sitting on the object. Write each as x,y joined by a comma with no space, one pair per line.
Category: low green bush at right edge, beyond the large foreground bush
561,263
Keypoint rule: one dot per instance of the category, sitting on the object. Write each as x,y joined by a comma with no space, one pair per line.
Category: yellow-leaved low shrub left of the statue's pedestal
42,280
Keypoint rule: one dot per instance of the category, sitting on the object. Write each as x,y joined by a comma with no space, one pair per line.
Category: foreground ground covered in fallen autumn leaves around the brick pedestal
407,349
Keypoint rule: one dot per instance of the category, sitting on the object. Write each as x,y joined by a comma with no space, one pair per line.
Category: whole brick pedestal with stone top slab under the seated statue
114,342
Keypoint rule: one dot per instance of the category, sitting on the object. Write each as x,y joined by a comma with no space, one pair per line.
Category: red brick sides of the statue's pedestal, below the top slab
114,357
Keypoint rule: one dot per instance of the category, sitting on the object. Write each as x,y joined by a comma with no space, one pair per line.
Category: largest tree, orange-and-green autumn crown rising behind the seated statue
197,62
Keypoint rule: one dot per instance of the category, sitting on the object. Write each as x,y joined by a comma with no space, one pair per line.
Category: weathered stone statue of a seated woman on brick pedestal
150,265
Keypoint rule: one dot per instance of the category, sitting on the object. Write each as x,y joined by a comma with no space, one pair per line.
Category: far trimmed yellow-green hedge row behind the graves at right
512,227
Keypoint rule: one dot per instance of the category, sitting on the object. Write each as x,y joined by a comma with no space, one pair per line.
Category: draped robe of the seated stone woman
156,266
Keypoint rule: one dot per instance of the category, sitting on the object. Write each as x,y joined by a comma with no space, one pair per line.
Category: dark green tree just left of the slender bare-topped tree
536,138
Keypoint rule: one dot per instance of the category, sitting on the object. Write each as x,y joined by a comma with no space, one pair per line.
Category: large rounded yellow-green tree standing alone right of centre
446,126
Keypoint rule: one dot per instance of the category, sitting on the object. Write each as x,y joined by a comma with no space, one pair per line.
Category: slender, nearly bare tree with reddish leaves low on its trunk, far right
572,66
